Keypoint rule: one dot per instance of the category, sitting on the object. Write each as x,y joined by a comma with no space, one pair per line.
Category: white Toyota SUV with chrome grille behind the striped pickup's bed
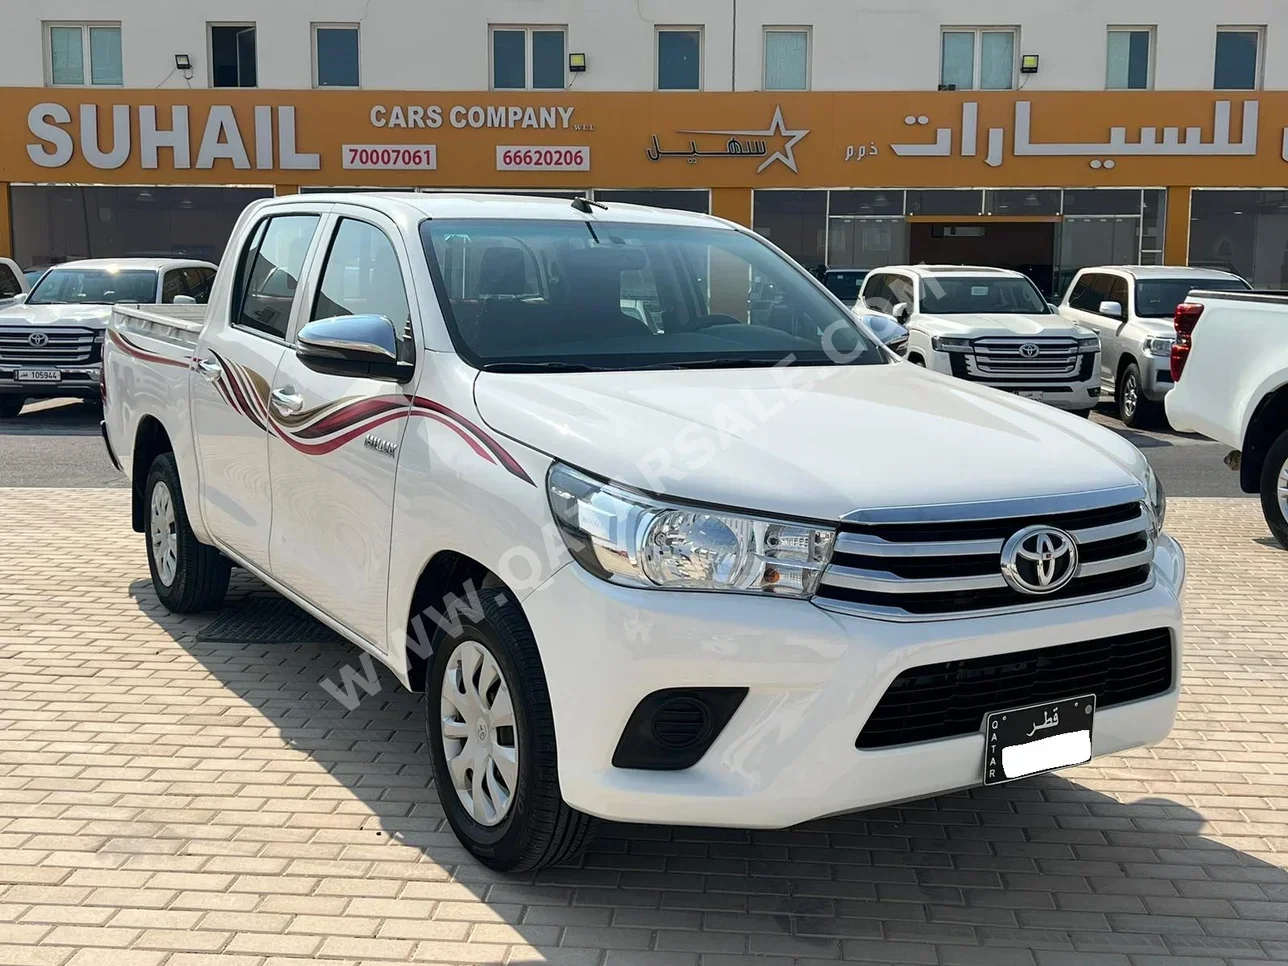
52,342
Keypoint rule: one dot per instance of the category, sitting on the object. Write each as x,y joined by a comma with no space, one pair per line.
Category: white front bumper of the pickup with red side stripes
813,677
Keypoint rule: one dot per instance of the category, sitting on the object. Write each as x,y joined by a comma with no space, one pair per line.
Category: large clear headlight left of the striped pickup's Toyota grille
627,538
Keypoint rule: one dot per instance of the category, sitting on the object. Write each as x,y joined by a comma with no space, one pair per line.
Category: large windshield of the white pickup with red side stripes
545,296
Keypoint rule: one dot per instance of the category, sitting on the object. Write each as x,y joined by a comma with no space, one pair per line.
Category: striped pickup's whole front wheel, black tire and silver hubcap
493,741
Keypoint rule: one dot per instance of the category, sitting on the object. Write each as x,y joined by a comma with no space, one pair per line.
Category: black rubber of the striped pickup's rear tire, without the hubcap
200,579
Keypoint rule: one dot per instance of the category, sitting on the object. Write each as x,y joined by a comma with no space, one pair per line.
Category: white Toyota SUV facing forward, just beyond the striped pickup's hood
990,327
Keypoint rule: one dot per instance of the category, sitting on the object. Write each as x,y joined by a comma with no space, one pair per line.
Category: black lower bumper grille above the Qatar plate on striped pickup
951,699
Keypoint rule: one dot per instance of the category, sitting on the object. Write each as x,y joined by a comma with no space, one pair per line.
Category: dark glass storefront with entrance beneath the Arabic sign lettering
858,230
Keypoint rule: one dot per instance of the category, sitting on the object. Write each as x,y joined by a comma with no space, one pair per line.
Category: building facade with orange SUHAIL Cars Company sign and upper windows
1043,137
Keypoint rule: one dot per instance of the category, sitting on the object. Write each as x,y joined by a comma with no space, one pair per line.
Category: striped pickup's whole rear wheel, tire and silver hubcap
189,576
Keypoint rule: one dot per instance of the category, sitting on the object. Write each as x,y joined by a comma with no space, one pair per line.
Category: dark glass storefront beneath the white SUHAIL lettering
55,223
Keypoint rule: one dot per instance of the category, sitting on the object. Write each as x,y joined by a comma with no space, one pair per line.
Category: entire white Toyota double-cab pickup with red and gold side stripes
744,570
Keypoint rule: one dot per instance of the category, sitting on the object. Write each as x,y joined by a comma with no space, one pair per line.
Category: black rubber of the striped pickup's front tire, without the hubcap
540,829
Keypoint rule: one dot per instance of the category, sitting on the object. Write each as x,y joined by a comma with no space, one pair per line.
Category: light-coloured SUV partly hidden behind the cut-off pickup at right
1132,310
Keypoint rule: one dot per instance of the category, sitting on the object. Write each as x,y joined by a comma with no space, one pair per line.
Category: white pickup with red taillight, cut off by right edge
1231,365
